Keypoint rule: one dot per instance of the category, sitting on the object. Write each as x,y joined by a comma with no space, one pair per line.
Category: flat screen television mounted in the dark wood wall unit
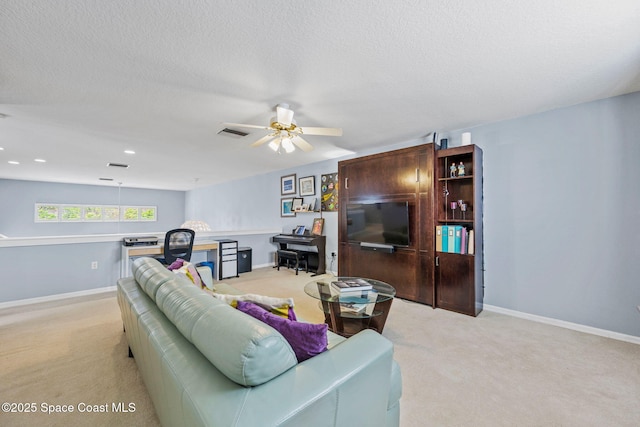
385,223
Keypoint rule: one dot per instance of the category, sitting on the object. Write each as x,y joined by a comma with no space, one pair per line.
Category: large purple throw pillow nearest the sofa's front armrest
306,339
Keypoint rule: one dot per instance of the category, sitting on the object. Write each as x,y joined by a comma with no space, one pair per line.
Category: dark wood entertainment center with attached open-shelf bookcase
420,176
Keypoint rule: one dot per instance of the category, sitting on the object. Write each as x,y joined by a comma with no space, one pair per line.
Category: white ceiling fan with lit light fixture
284,133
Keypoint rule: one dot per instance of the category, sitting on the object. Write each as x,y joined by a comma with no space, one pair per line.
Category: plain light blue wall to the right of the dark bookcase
561,213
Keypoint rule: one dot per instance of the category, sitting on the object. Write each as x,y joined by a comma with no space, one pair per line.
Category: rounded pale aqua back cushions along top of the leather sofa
244,349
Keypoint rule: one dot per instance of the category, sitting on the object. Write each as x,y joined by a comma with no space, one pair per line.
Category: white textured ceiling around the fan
81,81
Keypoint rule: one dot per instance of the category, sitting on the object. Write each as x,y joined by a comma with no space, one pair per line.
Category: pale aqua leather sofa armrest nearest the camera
347,385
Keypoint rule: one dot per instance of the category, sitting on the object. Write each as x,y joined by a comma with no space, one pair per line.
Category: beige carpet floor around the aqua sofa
493,370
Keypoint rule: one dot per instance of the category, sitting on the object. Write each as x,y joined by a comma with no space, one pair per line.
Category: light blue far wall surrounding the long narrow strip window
19,199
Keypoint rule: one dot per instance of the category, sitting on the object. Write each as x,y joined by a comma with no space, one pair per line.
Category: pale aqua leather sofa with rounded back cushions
205,363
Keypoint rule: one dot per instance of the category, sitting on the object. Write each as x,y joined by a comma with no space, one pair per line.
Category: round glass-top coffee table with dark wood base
353,303
